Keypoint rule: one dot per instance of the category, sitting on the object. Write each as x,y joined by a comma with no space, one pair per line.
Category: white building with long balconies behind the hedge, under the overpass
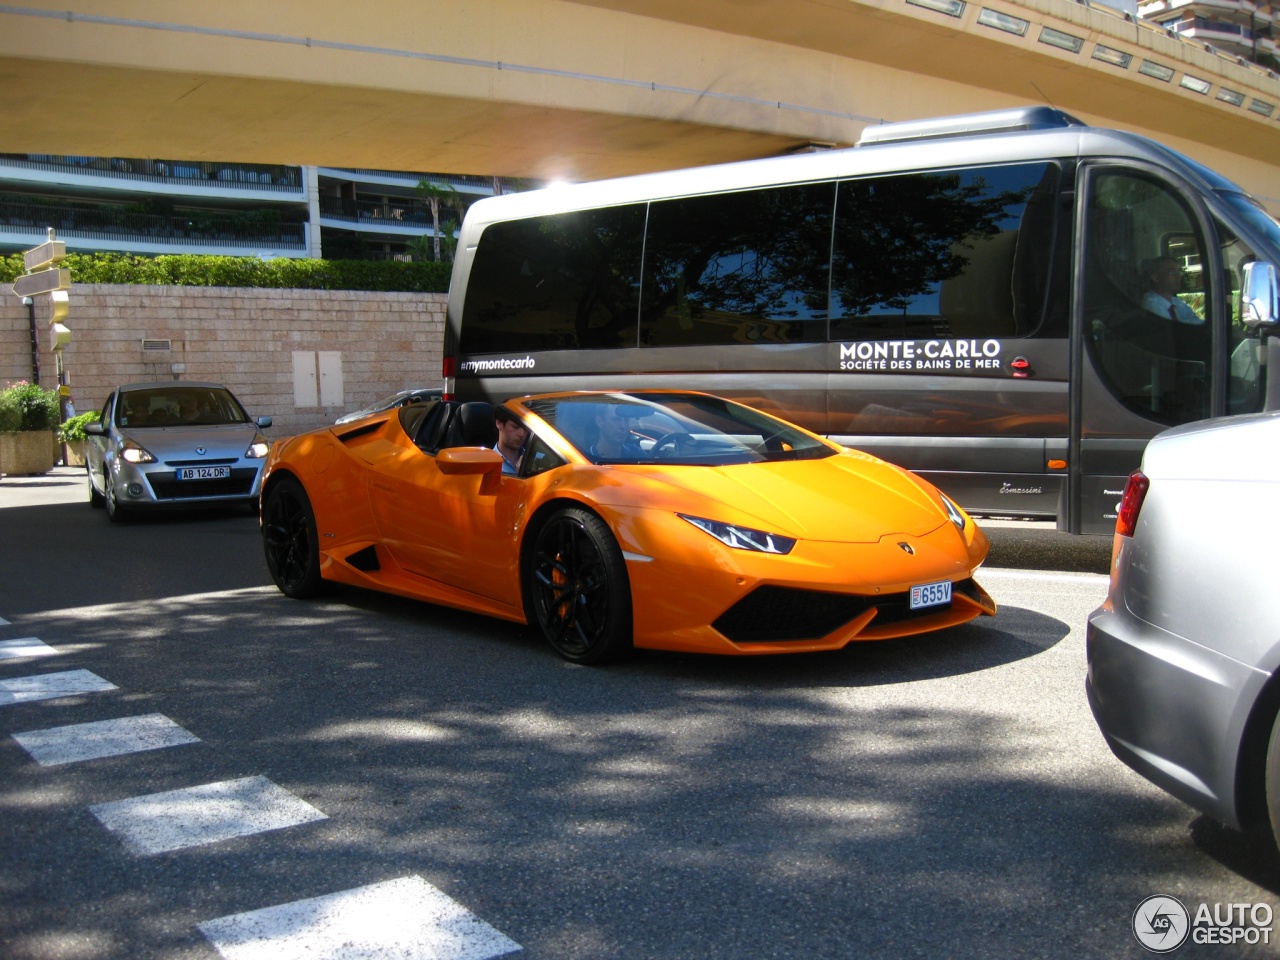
176,207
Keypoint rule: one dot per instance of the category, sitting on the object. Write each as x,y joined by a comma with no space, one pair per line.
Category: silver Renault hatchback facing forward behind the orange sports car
173,444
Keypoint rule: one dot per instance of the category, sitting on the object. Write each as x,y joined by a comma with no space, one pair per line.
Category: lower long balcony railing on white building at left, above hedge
107,223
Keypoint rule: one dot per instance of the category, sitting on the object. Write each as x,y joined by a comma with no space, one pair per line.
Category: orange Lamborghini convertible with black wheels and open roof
665,520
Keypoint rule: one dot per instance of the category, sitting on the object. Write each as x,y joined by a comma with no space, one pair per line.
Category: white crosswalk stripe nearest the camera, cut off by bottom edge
405,918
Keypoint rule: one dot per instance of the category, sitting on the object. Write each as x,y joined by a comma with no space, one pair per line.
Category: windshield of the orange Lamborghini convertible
670,428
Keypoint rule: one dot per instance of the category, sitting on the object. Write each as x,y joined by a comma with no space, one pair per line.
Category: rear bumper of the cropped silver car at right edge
1172,710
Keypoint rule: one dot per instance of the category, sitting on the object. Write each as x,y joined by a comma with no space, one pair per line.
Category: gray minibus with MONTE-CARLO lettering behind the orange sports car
1011,304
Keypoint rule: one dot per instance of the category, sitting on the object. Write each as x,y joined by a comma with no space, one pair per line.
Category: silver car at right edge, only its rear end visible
1183,656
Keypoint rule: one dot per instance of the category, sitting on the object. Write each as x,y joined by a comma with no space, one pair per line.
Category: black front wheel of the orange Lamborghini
578,588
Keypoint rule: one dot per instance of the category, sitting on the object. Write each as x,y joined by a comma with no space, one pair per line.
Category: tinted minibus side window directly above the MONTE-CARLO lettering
941,255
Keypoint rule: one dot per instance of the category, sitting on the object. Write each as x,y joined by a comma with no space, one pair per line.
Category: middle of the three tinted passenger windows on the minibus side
739,268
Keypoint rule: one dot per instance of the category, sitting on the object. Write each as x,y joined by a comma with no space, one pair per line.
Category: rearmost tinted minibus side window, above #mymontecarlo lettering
563,282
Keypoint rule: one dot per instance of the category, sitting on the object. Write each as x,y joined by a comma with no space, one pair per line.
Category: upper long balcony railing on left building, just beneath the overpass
278,180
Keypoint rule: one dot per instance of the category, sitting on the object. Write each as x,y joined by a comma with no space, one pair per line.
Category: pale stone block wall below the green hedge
303,358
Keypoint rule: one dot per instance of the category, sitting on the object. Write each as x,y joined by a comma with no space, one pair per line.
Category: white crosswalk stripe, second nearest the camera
207,815
